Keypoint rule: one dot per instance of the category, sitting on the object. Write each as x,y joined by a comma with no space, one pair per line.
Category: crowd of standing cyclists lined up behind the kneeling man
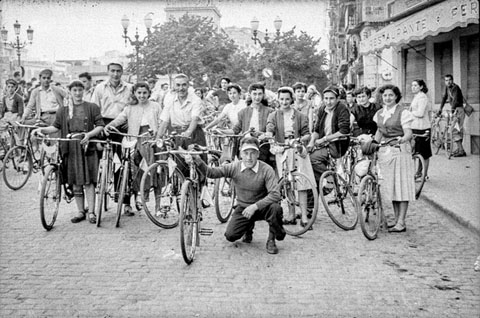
146,109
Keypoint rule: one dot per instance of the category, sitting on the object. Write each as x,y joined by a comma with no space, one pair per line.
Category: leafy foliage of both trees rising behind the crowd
193,45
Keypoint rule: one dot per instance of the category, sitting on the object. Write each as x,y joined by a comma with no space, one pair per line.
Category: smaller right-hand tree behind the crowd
293,58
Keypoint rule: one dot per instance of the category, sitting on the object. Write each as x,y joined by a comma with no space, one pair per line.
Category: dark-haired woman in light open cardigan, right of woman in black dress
142,115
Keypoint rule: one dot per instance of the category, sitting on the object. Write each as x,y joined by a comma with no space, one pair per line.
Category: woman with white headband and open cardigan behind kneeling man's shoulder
288,122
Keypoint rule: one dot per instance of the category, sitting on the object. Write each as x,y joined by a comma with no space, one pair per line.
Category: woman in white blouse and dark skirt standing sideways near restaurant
421,109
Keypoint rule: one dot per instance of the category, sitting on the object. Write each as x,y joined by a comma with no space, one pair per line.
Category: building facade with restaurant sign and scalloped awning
422,39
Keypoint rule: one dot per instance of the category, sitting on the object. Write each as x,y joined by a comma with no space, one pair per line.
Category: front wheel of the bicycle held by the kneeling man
189,222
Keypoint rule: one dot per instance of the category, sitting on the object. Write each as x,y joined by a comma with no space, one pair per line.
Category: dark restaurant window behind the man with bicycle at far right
443,66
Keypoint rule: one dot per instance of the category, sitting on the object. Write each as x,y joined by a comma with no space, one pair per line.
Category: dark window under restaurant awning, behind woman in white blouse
415,66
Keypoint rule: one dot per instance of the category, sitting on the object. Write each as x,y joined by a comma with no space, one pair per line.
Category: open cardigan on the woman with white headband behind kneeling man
275,124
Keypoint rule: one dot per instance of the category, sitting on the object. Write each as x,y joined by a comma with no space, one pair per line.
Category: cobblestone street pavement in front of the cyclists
78,270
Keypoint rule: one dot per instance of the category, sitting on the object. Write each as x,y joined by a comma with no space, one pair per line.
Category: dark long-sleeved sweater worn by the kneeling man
259,188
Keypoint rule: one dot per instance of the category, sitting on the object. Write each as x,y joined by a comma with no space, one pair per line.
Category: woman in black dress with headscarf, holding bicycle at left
80,164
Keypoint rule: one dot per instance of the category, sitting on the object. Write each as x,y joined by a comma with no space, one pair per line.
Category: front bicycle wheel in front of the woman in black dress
50,196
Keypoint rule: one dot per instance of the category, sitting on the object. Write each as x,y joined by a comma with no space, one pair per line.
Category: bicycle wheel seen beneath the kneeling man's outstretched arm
224,198
